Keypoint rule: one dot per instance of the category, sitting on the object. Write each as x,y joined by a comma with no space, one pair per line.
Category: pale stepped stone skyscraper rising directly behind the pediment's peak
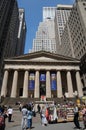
45,37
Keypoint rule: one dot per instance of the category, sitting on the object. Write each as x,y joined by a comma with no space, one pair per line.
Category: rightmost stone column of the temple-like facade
79,84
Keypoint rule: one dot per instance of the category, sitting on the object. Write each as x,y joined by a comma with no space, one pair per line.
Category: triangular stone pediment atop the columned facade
42,56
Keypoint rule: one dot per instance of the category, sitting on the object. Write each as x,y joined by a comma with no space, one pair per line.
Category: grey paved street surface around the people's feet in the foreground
15,125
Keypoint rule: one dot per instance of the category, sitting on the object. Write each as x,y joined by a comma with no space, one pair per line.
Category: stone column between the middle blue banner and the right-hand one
48,86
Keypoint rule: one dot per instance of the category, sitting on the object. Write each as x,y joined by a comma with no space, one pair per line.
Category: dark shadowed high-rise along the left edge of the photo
9,25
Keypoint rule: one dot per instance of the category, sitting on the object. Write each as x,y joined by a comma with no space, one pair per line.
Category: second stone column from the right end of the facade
69,84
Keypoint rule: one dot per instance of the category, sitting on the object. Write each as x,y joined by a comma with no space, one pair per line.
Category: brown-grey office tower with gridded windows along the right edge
73,41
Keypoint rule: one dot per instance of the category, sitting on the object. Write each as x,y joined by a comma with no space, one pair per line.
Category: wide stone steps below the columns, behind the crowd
12,101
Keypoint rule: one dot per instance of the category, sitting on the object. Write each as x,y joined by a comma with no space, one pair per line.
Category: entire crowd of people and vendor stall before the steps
28,112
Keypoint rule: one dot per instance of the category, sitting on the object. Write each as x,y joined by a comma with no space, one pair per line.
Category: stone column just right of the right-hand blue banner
59,85
